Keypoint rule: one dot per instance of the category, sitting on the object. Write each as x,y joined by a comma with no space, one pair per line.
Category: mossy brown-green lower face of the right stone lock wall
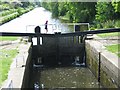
105,79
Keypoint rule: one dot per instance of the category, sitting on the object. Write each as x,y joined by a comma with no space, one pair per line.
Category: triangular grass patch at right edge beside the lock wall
114,49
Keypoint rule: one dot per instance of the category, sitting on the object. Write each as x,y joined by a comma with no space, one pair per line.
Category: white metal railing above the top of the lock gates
63,27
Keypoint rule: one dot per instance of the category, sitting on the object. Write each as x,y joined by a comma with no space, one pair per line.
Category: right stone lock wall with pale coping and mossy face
109,77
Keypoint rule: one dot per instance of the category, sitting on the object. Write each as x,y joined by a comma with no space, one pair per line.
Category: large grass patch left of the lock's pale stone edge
6,57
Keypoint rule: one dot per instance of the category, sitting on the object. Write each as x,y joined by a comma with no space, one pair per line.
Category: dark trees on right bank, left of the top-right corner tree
76,11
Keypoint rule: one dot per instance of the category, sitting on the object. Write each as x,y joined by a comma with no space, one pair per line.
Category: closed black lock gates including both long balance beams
60,49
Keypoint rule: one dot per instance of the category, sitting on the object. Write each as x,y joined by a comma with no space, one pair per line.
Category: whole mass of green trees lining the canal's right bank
100,14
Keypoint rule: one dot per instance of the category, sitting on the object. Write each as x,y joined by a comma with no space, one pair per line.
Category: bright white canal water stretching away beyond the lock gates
27,22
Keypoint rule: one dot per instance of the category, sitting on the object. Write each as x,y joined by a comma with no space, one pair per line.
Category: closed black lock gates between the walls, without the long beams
59,50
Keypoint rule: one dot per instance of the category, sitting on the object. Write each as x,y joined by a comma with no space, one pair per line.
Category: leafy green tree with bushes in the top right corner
106,16
